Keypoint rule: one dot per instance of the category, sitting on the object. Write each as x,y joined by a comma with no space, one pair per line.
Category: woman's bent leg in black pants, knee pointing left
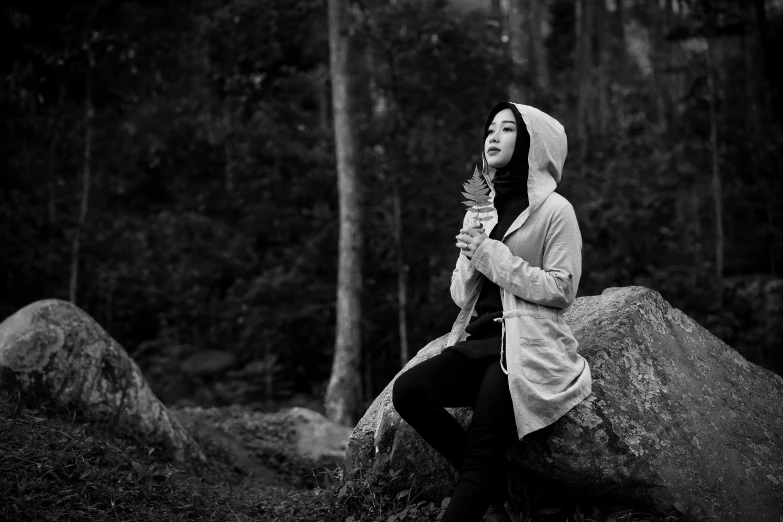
420,395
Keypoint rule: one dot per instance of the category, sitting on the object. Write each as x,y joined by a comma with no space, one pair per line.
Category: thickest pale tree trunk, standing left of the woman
344,391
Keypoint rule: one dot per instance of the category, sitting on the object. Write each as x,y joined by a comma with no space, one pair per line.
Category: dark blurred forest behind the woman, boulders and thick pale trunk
169,167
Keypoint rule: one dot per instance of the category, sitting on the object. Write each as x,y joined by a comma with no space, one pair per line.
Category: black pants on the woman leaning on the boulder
451,379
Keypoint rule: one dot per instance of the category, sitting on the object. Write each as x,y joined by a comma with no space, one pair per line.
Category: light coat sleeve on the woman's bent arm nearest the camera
556,282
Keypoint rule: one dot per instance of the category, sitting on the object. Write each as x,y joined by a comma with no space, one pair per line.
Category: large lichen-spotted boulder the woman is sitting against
676,416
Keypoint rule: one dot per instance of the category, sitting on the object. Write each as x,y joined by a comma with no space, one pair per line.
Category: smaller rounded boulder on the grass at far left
53,350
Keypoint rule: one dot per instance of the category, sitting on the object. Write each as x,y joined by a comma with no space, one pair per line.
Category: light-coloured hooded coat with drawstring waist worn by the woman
537,266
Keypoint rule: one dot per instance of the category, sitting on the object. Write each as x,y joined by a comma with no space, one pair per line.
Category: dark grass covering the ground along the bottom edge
56,465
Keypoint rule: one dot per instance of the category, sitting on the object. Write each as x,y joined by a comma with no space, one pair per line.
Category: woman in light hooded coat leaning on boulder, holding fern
509,355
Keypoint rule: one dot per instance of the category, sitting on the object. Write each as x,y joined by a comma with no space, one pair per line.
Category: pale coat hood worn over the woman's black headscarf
548,149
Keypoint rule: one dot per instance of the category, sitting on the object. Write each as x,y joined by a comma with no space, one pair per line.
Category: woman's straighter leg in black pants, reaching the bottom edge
491,432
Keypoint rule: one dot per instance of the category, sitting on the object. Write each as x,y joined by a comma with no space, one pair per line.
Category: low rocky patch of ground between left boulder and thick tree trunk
292,444
